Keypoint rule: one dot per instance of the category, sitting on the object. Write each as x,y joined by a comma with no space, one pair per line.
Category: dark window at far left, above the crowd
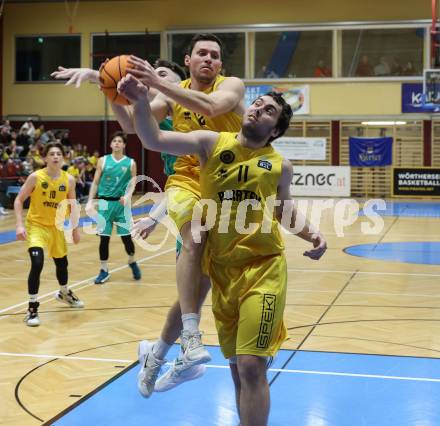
37,57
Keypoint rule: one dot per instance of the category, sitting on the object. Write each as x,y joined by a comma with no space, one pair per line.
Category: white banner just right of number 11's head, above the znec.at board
301,148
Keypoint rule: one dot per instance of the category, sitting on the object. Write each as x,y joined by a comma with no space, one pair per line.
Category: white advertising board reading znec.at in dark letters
321,181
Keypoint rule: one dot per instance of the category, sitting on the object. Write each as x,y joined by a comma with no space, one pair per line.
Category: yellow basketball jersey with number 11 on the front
243,182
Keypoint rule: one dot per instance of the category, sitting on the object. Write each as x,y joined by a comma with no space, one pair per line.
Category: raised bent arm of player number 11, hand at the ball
198,142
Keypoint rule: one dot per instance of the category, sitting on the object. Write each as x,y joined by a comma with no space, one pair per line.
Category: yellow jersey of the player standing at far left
46,196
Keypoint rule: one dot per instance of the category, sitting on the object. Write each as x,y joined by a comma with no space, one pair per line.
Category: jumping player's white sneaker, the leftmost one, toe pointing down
150,368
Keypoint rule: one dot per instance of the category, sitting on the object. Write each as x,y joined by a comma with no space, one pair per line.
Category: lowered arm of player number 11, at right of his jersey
288,215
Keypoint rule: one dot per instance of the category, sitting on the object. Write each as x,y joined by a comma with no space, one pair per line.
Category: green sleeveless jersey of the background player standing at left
115,176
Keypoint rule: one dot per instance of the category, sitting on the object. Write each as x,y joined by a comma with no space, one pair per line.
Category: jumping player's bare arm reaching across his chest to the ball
228,96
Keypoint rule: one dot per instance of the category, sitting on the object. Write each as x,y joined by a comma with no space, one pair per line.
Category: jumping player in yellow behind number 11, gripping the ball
205,101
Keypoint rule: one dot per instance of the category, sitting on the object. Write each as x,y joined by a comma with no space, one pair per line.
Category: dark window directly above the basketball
145,46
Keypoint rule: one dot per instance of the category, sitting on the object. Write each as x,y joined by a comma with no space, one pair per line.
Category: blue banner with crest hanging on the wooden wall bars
370,152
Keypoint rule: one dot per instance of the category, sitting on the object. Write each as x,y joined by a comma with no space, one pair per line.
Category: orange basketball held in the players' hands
109,76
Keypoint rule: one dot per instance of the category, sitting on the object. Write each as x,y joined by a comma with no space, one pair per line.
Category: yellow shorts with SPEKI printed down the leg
248,304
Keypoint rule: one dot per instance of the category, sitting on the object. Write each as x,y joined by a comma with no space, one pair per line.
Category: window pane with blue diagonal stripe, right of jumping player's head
291,54
